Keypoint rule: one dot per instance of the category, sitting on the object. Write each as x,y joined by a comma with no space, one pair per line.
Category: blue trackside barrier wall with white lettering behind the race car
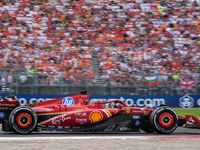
182,101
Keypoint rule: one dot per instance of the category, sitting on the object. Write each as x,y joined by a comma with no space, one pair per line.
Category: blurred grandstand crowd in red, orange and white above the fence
131,40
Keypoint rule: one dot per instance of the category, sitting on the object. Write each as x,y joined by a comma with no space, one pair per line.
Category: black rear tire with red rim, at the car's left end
23,120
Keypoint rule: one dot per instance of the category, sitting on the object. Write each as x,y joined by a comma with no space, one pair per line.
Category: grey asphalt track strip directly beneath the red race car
180,132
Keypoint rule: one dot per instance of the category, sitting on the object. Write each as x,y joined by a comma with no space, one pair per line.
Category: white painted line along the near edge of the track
71,138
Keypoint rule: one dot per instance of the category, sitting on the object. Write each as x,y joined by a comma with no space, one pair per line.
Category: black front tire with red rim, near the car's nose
164,120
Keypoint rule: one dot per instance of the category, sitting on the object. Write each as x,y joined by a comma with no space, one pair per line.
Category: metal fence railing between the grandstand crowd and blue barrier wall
59,84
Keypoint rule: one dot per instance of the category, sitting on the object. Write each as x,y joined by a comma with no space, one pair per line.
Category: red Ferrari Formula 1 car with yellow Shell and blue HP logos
75,113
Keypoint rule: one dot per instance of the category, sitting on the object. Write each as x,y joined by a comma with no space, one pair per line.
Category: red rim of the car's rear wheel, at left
24,120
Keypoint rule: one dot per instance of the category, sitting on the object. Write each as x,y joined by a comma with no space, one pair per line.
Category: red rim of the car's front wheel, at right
166,120
